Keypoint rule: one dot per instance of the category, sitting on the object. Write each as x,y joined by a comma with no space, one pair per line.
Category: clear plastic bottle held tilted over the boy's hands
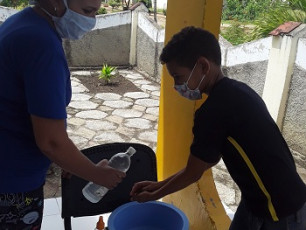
120,161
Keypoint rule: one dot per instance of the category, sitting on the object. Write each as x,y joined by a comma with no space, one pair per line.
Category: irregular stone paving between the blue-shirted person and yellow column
108,117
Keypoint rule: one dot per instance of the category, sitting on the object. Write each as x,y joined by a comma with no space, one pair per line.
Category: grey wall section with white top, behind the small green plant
108,42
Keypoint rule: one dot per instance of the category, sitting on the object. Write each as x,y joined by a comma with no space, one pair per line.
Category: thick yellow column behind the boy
200,201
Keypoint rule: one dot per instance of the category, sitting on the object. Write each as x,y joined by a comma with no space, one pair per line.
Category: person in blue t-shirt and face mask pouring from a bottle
34,92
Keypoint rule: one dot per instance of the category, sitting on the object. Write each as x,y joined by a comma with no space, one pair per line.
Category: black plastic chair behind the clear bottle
143,167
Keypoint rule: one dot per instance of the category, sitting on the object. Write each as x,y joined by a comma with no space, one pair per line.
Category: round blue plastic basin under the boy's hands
151,215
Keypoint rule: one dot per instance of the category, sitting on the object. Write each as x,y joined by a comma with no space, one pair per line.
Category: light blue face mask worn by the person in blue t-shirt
72,25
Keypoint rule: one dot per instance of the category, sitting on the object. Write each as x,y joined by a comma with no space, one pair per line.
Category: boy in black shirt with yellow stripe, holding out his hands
233,123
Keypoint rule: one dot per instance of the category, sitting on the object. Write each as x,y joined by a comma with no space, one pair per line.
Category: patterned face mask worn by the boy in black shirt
185,91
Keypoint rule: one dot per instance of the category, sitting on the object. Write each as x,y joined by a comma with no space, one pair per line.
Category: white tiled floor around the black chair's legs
53,221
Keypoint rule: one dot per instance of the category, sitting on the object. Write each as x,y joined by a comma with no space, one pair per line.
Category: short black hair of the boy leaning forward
189,44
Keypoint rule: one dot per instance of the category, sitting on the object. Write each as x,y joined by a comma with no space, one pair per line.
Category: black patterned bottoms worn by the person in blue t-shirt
21,211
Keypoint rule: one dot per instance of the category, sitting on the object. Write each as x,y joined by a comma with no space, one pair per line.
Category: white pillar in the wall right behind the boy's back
279,73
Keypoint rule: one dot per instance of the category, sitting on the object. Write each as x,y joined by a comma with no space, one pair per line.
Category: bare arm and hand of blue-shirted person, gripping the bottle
52,139
